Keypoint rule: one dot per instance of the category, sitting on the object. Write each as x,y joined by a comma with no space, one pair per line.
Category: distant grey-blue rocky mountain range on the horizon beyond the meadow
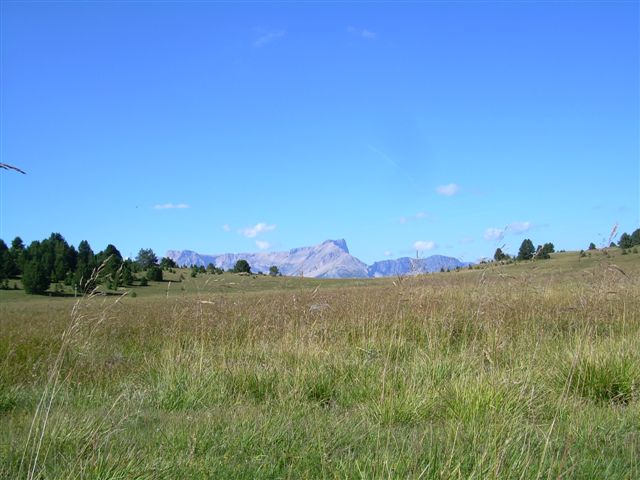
329,259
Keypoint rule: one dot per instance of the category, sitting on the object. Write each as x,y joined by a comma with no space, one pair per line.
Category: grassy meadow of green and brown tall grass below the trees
529,370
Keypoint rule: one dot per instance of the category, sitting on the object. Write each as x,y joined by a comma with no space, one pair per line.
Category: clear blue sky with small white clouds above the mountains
448,127
